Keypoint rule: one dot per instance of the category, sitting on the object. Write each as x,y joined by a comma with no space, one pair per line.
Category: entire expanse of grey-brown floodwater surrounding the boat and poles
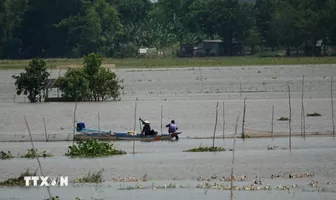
189,96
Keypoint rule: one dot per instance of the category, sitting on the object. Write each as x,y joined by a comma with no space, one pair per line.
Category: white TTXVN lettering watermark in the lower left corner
43,181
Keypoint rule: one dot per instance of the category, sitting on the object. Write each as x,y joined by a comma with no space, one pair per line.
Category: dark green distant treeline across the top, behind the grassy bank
117,28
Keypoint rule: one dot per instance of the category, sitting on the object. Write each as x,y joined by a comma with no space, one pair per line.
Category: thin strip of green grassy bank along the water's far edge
176,62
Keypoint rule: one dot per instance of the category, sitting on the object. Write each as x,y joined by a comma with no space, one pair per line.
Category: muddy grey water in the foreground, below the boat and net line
165,163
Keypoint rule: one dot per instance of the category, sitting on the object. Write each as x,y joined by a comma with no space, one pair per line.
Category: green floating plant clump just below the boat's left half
93,148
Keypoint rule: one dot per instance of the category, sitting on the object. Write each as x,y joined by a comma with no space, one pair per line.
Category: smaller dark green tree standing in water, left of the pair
33,81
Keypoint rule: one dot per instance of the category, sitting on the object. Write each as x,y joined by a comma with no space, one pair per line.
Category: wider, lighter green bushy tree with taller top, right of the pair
92,82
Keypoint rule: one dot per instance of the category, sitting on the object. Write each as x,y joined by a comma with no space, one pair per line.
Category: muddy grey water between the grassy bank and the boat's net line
188,95
